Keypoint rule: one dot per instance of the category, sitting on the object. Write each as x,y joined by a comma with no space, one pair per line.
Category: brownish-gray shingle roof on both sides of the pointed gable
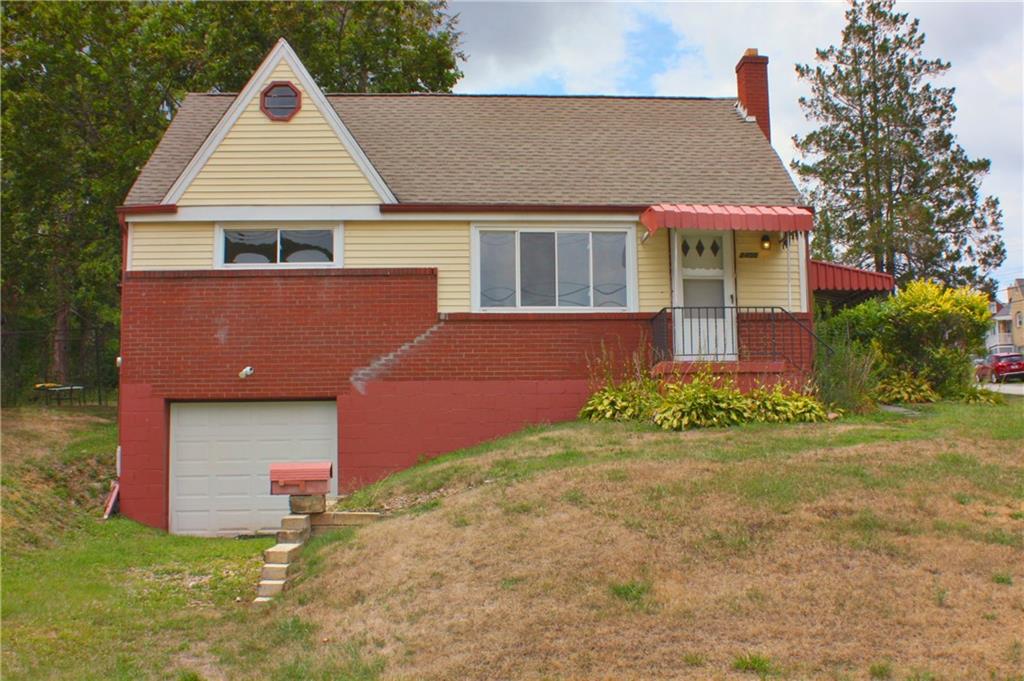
530,150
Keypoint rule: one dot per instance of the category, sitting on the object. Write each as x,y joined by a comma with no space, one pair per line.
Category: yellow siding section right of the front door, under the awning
767,280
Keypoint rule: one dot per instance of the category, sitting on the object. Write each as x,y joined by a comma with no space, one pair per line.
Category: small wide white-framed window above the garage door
259,246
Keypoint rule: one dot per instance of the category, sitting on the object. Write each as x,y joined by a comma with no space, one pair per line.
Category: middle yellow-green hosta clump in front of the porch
703,403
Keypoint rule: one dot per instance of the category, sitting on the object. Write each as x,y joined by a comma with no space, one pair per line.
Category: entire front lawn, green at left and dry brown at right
875,547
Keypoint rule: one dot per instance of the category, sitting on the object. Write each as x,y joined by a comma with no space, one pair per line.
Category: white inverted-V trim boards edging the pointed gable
282,53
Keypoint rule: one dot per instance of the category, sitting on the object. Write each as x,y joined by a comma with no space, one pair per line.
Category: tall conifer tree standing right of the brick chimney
892,188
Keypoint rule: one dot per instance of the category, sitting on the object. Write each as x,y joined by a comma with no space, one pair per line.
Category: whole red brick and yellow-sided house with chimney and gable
374,279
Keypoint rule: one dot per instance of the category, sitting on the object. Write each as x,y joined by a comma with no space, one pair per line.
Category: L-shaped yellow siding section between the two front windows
442,245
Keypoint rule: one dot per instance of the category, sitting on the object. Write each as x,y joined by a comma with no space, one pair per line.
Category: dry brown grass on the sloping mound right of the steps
801,552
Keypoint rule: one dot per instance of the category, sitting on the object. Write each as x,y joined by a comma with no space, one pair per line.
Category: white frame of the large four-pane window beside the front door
632,293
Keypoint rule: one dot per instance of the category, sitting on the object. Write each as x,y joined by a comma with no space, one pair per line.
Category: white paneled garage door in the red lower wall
221,459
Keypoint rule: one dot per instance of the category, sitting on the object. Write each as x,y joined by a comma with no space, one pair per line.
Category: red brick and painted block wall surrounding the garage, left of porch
409,382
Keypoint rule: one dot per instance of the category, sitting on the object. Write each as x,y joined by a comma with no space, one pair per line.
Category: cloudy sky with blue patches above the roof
692,49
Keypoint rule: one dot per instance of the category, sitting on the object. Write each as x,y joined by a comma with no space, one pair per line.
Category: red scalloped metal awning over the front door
749,219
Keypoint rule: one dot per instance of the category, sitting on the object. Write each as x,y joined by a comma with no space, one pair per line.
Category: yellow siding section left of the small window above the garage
172,246
